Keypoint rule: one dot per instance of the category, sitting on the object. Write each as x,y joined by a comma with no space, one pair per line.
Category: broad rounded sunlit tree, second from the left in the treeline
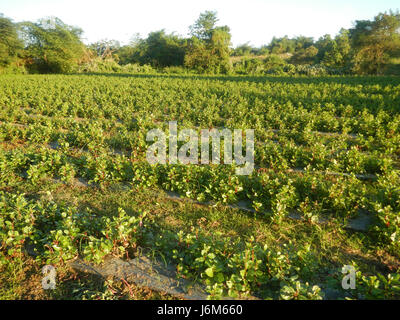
52,46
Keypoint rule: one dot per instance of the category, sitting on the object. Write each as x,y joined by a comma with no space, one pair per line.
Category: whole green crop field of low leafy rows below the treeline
74,182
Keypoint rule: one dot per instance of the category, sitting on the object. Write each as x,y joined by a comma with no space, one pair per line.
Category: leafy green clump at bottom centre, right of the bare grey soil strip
234,270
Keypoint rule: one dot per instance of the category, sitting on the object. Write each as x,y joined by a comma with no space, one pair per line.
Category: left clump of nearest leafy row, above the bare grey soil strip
63,233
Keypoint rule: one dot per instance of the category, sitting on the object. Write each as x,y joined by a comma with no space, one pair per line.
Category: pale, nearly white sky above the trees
251,21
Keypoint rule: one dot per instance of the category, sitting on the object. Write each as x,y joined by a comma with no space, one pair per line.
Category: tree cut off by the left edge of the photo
10,44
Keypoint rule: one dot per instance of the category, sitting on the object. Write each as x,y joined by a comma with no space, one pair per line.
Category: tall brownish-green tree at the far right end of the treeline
375,42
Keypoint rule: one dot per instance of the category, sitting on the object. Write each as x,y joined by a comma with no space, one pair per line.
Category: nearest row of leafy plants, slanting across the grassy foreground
57,233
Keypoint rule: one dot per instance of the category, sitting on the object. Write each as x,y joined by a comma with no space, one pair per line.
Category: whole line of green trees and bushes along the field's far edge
51,46
